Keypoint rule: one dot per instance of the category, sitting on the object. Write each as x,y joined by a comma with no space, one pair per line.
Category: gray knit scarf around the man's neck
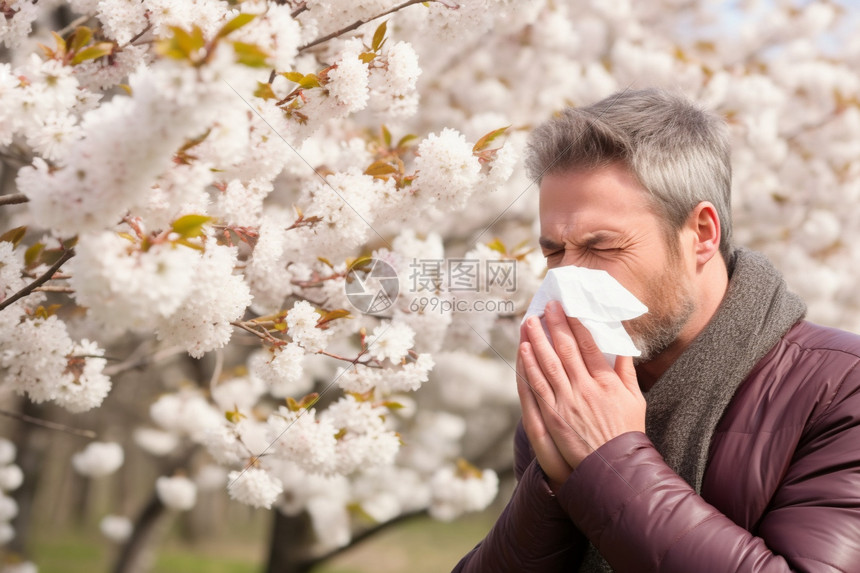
688,400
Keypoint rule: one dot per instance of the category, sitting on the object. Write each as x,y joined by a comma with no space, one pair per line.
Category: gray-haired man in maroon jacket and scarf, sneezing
747,456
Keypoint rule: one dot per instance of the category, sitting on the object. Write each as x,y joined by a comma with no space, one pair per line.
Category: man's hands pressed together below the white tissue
583,403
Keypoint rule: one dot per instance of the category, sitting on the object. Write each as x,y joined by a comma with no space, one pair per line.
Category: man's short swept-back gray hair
678,151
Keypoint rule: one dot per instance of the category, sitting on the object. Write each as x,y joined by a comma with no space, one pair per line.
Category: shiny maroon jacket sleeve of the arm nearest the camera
642,516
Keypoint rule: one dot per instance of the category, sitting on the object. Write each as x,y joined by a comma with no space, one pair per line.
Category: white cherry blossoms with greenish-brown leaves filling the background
215,178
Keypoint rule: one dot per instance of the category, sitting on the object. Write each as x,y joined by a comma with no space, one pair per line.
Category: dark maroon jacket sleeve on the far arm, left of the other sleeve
533,533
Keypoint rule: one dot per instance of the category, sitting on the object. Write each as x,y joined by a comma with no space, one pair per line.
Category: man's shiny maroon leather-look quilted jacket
781,490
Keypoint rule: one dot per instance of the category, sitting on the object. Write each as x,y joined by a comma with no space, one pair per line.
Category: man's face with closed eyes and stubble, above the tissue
601,219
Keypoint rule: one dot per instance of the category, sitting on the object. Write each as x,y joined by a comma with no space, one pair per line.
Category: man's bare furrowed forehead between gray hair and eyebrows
609,197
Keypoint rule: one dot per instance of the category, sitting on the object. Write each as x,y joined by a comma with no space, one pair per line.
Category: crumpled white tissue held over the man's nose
597,300
